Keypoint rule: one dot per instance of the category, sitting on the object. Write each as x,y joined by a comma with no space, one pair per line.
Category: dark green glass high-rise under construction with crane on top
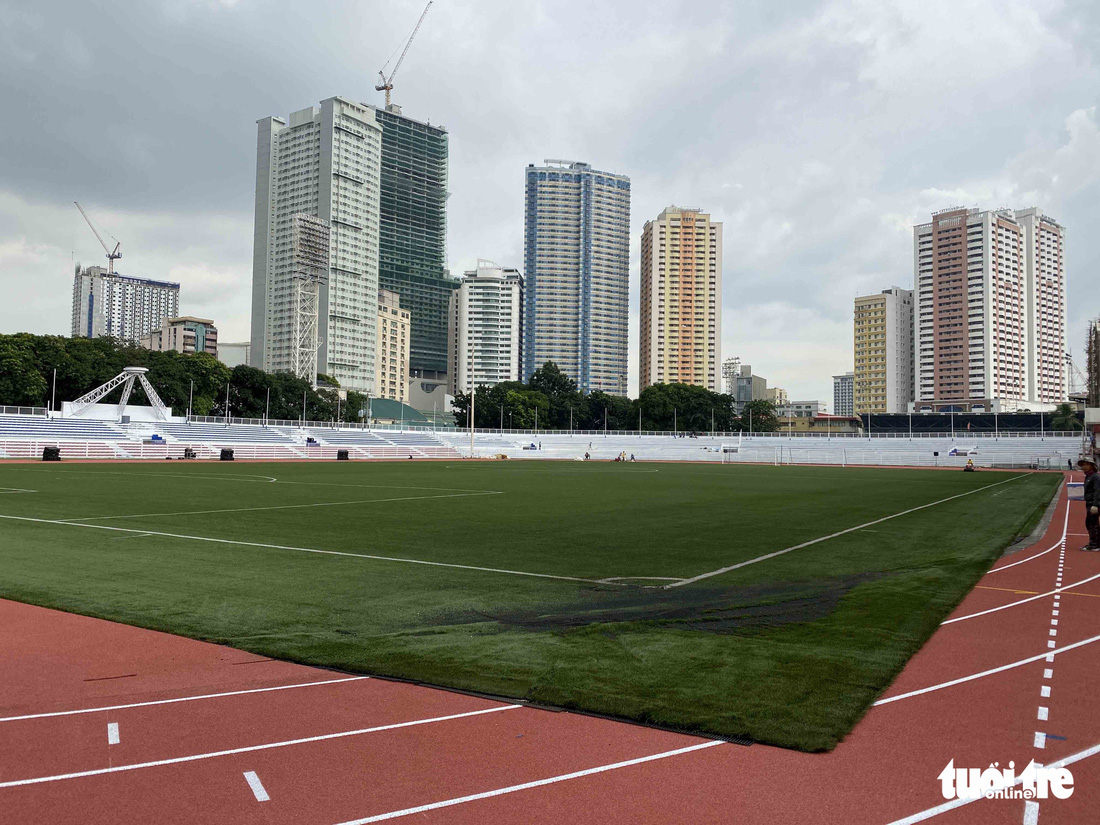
413,238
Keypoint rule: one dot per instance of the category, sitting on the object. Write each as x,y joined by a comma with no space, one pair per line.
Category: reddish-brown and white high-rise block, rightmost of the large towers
992,311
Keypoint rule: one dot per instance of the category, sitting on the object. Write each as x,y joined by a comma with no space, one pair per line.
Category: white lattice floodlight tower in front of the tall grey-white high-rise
311,238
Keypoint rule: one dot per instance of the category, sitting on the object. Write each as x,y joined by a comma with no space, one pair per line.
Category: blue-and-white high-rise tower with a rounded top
577,252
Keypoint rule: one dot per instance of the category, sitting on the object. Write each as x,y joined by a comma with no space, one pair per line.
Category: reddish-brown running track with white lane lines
337,750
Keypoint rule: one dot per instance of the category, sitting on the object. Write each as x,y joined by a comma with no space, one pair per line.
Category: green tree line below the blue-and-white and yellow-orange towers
553,402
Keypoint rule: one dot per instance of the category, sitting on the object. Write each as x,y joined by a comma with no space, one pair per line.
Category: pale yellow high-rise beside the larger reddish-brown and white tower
884,348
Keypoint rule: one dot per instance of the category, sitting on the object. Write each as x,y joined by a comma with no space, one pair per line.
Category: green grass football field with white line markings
789,651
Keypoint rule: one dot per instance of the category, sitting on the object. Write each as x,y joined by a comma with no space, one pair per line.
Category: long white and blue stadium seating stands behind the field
26,437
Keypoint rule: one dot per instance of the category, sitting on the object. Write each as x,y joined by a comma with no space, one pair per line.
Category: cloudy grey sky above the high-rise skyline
820,134
